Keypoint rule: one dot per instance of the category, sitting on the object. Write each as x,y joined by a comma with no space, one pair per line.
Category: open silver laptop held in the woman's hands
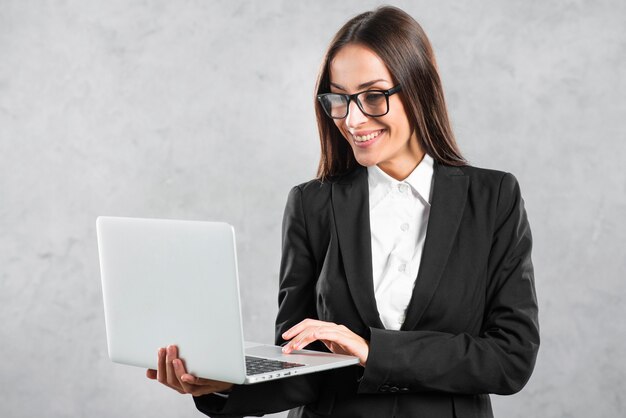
176,282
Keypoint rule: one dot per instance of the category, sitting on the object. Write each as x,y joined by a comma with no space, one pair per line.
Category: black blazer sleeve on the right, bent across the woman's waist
500,359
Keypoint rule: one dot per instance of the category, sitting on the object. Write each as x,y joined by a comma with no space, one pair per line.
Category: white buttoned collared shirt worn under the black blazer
399,213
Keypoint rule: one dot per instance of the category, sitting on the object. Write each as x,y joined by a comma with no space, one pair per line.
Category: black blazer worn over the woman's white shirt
471,326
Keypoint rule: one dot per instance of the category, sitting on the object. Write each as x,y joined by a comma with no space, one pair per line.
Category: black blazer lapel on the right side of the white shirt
448,202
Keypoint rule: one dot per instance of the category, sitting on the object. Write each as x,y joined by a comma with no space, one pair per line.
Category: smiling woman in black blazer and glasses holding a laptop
399,252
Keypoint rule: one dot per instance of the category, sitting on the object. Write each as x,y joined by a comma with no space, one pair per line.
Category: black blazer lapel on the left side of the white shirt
350,202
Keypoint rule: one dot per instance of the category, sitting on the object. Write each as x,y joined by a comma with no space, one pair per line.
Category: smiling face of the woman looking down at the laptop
386,141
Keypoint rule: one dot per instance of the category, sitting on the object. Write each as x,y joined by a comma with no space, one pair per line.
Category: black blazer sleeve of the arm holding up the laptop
296,302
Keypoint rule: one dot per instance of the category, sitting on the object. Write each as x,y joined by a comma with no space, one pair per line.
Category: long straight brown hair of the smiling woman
404,47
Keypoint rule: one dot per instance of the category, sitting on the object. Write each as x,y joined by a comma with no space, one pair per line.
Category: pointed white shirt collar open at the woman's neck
420,180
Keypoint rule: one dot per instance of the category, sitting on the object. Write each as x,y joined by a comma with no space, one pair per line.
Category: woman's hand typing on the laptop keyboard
337,338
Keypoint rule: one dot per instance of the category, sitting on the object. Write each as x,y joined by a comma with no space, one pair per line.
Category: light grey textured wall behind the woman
203,110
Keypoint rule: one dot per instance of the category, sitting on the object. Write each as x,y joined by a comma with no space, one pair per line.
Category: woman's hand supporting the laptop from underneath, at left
171,372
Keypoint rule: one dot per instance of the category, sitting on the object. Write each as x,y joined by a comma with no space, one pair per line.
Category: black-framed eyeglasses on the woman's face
373,103
